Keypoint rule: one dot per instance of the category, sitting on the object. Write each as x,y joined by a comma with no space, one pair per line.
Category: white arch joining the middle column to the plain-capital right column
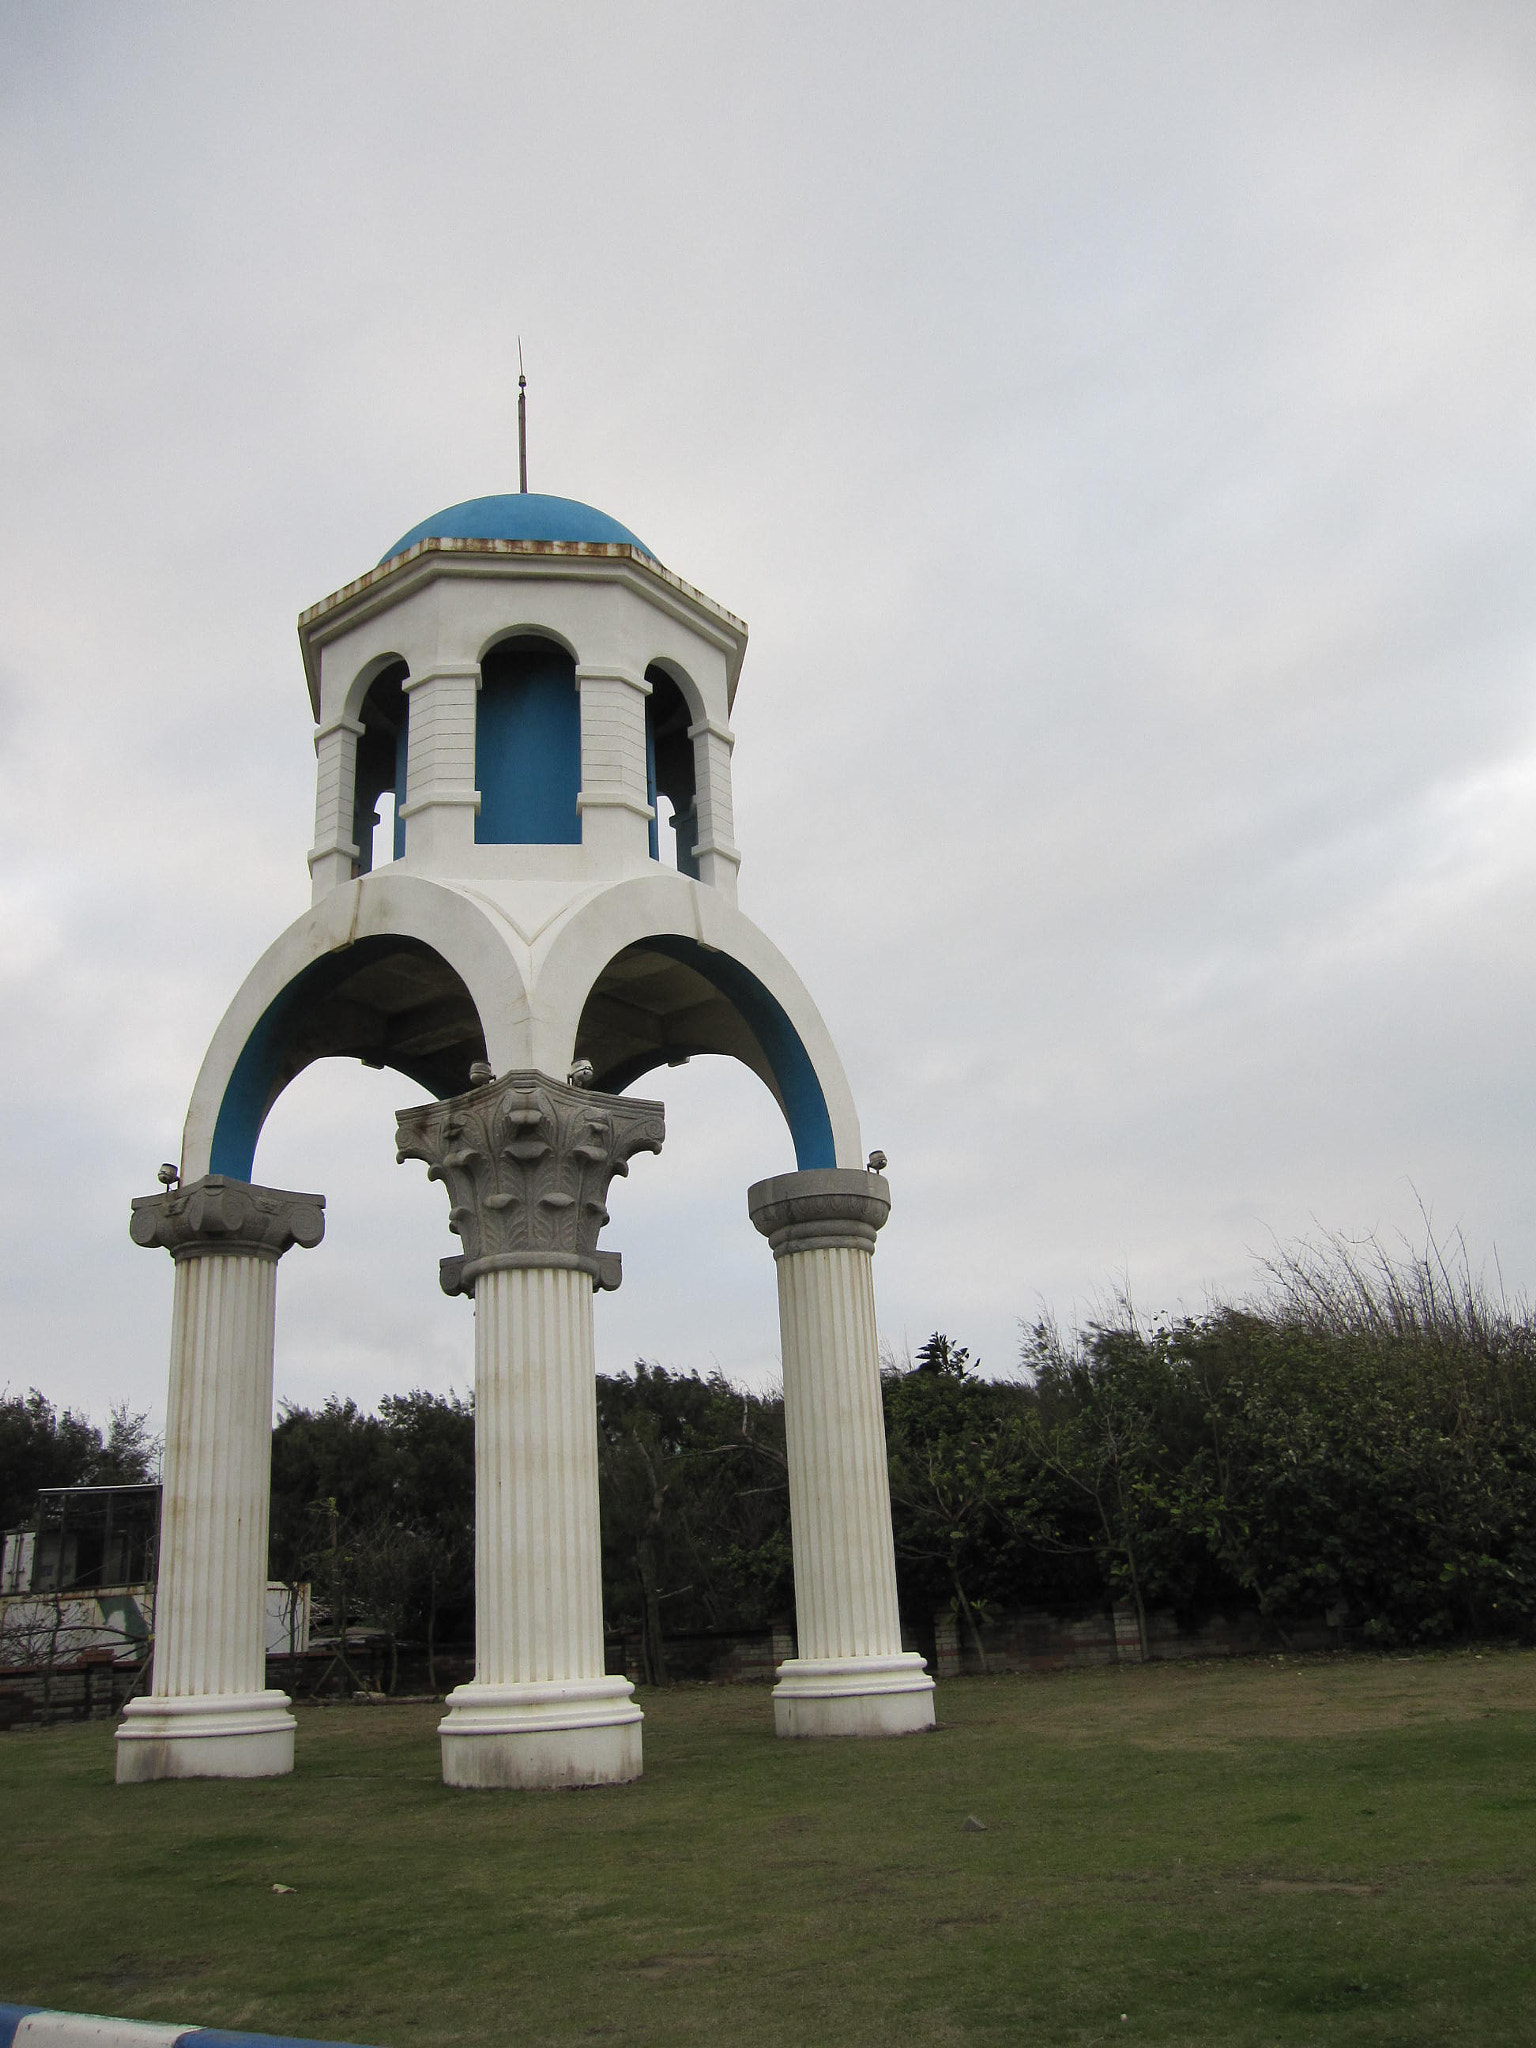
722,945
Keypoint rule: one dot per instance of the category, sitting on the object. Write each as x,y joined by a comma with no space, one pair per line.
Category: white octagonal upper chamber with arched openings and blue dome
523,691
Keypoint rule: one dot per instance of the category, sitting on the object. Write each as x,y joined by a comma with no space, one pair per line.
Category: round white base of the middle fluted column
542,1738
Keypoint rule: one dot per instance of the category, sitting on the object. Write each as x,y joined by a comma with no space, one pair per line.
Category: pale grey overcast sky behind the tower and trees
1117,427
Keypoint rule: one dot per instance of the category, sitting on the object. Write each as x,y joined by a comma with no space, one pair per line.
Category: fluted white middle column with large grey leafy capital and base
527,1164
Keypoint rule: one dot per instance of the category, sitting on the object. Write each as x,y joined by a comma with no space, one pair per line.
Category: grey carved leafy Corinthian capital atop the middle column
527,1164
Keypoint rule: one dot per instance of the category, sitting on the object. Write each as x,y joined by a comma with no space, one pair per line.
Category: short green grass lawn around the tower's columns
1248,1852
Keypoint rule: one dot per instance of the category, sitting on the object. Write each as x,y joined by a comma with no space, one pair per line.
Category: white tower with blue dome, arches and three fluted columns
523,679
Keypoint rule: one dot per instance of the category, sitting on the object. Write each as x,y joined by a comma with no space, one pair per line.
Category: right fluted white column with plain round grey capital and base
851,1674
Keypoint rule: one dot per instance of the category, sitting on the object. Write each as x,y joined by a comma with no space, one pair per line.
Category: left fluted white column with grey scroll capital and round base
210,1713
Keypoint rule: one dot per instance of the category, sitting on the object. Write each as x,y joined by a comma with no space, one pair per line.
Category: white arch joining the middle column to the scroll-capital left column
380,908
